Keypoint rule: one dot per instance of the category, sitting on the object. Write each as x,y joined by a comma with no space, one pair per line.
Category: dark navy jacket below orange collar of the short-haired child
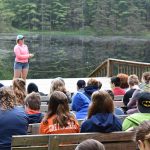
35,118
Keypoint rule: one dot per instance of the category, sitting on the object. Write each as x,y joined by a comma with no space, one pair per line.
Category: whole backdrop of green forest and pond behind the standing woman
70,38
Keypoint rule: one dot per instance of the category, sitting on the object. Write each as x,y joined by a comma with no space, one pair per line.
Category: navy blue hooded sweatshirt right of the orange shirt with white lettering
102,123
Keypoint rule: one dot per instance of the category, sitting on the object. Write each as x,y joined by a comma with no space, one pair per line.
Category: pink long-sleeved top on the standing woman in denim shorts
22,53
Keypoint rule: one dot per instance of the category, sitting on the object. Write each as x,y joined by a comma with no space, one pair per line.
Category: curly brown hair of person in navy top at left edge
7,98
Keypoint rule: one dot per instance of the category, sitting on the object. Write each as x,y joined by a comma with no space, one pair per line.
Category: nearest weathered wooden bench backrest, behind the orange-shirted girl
112,141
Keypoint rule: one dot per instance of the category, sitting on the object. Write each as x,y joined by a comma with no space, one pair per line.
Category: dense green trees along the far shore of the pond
99,16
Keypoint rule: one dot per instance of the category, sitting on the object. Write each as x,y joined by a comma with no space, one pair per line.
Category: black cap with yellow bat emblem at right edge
144,102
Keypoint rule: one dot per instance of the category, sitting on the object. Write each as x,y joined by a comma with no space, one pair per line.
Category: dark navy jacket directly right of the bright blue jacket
88,90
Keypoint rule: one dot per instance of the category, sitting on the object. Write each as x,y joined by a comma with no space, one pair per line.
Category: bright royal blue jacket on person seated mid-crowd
80,105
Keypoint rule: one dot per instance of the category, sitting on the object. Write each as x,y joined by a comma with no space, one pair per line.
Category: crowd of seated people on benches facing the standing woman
89,103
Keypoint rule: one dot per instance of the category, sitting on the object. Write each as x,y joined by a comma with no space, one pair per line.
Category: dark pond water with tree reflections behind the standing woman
71,56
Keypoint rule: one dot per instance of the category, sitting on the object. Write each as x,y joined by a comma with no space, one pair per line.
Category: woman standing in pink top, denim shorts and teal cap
21,64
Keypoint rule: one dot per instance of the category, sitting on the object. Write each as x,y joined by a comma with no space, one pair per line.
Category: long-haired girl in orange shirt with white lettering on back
58,119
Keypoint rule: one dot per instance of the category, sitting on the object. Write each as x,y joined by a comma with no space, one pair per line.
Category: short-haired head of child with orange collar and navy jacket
33,101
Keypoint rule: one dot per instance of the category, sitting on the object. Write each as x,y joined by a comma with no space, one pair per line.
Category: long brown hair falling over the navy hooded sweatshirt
101,103
